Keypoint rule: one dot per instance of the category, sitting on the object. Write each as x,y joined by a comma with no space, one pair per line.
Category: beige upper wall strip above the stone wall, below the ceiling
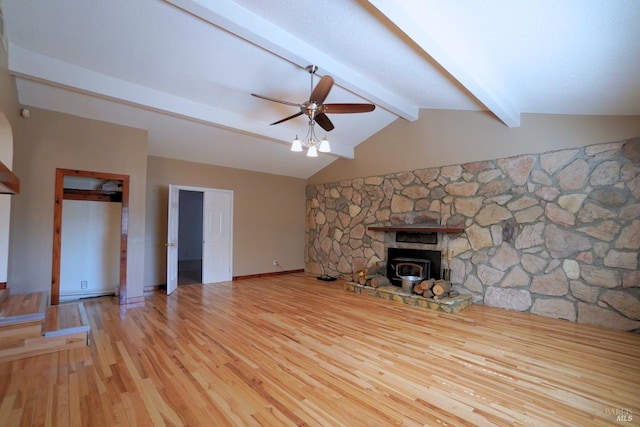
446,137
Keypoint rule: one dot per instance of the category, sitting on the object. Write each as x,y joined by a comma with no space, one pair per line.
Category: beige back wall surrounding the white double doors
268,219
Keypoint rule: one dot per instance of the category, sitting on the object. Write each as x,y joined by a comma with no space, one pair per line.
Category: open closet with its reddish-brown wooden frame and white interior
90,235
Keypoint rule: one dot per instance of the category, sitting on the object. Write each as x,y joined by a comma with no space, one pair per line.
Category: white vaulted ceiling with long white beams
184,69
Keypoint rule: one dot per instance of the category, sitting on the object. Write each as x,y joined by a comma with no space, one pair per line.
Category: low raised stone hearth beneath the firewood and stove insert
393,293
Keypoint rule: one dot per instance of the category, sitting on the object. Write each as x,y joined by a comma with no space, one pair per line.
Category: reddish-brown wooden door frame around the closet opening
57,228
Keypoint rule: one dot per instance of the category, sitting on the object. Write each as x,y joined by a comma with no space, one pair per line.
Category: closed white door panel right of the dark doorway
217,245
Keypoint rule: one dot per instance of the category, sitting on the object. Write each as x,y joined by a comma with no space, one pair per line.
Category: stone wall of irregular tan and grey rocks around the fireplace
555,234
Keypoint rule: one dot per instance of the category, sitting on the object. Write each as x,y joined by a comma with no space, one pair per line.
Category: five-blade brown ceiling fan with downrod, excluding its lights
314,107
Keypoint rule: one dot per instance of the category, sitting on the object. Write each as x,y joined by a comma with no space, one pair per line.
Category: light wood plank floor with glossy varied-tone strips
291,350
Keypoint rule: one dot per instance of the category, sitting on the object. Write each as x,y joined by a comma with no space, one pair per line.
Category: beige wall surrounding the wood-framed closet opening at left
50,140
